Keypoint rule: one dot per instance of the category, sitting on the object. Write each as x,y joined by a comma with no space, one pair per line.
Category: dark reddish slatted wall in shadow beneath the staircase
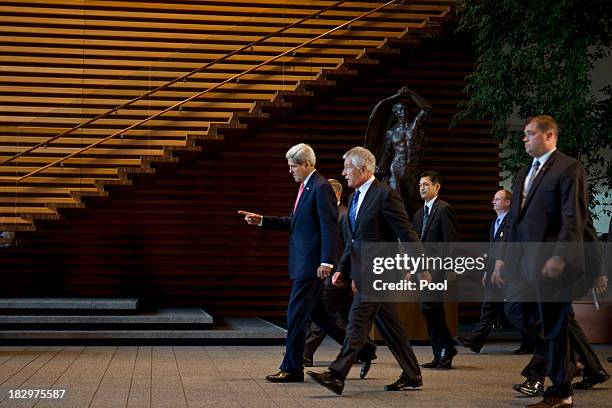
177,240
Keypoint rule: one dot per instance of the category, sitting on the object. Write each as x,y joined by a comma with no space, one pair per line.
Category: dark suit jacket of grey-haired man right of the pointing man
381,218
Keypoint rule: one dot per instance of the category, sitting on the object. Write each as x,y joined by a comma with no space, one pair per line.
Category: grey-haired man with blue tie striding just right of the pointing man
376,214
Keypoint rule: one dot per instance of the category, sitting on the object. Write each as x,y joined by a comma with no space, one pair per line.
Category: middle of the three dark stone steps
162,316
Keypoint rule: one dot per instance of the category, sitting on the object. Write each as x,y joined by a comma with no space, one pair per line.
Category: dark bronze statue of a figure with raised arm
398,142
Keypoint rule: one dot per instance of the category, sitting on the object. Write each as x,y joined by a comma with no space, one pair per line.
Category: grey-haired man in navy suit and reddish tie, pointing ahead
313,240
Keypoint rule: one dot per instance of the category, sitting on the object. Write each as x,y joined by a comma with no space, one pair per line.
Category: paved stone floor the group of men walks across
232,376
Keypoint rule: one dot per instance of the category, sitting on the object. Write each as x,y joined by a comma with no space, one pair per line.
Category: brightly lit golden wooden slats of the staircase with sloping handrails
69,61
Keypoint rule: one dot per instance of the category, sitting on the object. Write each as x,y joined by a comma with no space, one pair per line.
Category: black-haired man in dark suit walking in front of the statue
436,222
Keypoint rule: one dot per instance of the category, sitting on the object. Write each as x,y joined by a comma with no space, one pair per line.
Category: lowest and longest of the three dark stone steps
231,330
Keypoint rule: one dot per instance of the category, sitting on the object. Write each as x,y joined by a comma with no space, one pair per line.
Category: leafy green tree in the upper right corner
535,57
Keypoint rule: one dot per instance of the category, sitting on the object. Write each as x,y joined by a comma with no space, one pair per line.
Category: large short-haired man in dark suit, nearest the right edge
550,206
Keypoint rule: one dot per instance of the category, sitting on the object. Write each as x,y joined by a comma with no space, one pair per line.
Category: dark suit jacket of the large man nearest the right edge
554,212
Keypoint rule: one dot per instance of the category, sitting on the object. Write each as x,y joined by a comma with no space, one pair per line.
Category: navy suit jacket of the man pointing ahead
313,229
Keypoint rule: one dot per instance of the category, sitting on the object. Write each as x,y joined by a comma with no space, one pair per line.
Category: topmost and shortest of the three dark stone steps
68,304
